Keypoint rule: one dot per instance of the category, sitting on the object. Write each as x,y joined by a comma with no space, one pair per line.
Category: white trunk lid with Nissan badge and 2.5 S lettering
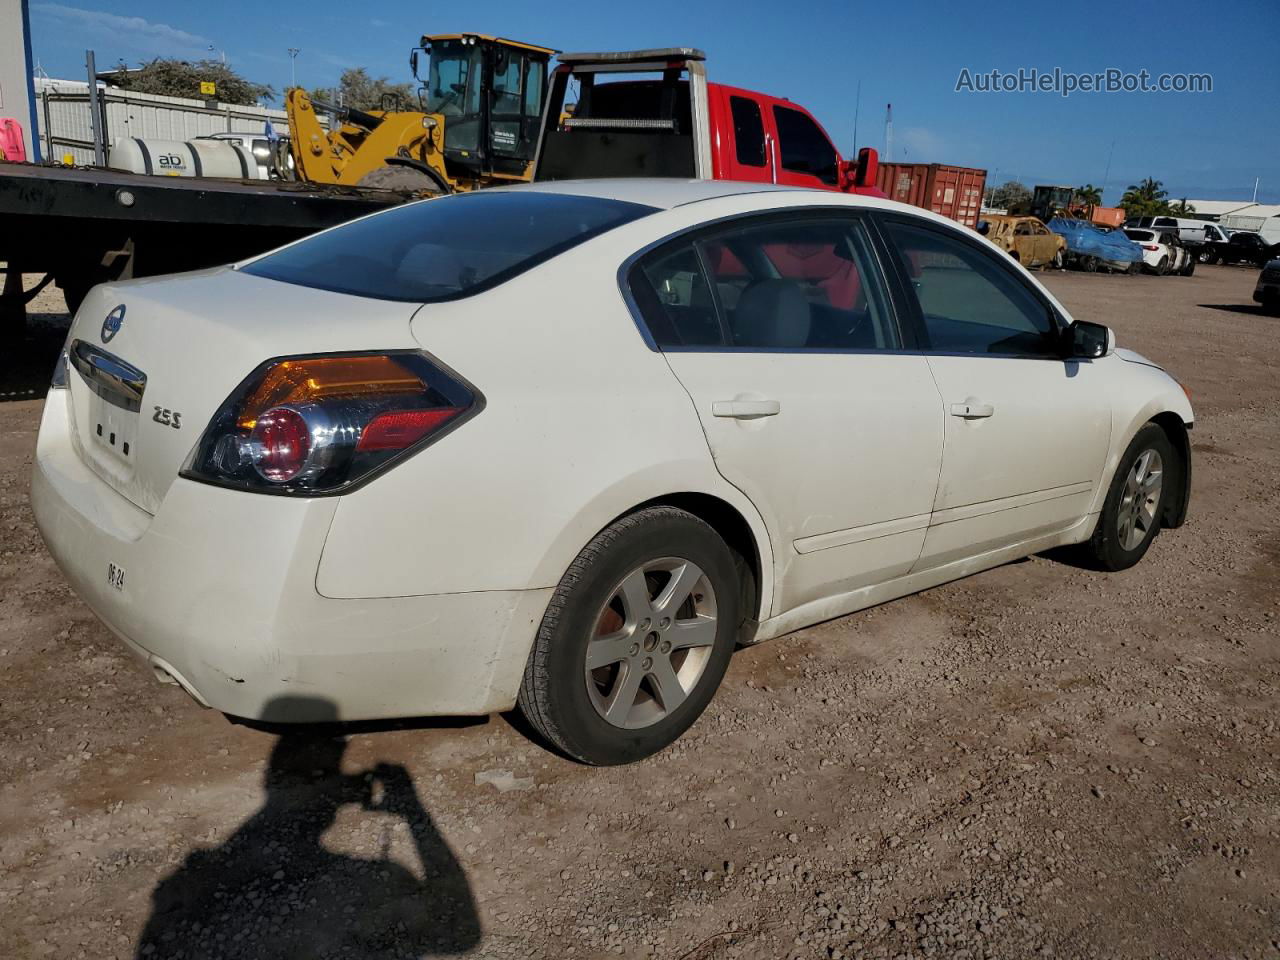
153,360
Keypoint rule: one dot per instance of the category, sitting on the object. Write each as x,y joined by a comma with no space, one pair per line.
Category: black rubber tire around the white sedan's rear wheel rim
555,697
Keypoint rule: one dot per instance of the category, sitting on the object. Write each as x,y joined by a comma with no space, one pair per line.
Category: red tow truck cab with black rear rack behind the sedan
652,113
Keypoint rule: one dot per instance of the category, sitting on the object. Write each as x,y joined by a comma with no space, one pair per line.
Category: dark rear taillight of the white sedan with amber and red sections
318,426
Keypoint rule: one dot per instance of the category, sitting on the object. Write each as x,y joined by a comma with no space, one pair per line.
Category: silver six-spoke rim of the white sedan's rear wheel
652,643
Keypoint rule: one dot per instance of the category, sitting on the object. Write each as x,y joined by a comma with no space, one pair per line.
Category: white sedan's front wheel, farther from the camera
1135,506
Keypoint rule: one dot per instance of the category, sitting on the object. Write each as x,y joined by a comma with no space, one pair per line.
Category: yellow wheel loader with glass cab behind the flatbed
481,116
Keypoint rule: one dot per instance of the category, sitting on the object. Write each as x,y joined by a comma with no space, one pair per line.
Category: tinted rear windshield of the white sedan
445,249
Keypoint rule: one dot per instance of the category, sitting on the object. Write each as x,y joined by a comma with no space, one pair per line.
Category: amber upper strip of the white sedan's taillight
316,380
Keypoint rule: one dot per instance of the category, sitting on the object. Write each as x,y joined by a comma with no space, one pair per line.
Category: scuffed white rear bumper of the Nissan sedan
220,595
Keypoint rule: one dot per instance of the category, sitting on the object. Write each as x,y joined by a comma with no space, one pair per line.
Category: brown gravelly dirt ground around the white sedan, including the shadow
1035,761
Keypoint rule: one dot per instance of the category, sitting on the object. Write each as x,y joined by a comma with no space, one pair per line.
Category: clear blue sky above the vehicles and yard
911,54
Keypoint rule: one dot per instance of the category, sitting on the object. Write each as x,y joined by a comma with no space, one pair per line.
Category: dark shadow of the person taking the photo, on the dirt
275,892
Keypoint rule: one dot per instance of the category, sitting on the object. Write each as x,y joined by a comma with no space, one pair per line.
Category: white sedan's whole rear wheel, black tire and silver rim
636,639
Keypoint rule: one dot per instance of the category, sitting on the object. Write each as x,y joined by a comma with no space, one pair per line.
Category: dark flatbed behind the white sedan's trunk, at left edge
83,226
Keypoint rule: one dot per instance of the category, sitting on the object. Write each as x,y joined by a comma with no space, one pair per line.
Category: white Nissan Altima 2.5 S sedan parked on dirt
565,446
